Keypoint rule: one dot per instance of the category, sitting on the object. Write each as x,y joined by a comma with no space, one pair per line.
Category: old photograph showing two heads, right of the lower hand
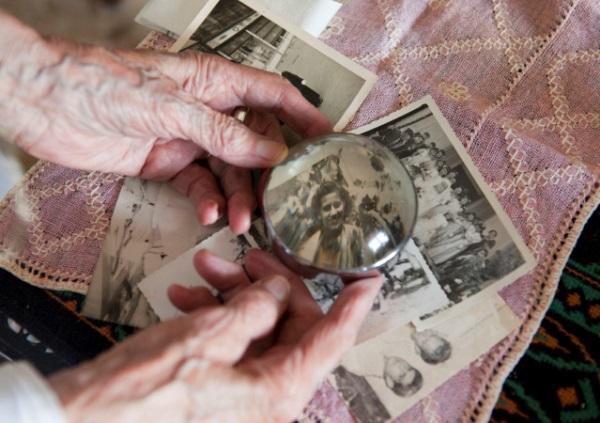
381,378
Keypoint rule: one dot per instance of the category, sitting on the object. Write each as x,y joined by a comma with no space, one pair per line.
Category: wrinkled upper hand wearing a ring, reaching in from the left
149,114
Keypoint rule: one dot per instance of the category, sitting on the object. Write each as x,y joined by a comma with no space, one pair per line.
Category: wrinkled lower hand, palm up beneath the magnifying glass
257,358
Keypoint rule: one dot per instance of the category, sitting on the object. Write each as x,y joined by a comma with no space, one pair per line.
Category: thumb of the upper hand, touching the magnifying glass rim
220,135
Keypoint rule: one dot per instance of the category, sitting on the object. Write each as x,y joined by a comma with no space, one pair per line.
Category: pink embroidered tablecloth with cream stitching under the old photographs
519,81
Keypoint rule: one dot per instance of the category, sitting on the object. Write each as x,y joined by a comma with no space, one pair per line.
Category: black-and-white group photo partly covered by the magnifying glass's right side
462,230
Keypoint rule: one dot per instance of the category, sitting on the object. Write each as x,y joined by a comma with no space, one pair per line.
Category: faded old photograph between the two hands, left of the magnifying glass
144,234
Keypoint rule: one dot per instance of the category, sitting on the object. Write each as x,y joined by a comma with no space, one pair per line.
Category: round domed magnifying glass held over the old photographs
340,204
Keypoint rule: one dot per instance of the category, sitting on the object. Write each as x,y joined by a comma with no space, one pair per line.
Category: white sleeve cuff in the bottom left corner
25,397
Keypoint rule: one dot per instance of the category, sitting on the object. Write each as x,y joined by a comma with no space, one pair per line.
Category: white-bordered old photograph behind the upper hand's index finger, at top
246,32
